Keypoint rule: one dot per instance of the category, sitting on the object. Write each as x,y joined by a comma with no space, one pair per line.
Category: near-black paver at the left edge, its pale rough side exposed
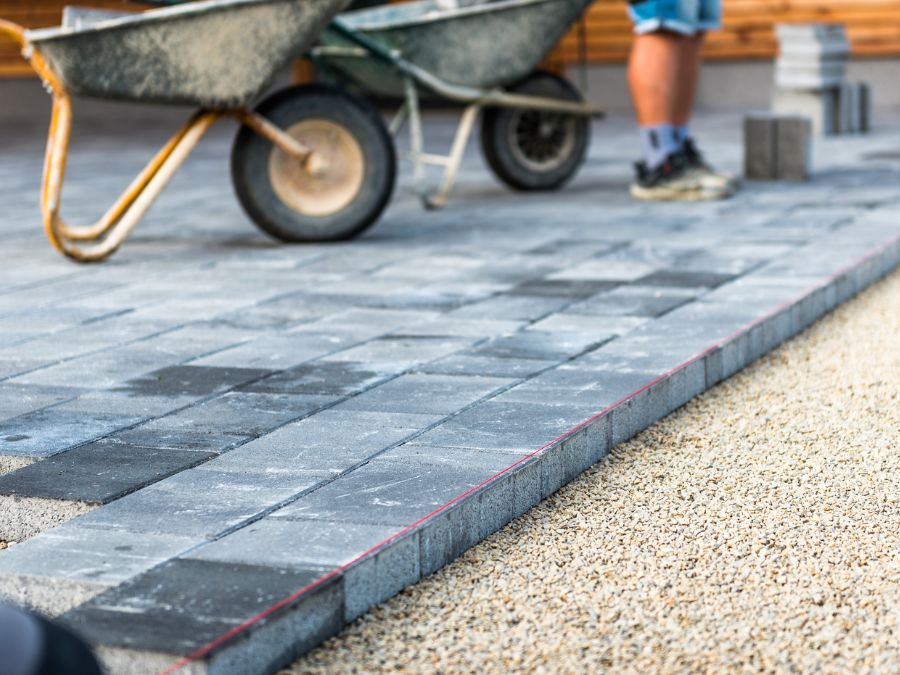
97,473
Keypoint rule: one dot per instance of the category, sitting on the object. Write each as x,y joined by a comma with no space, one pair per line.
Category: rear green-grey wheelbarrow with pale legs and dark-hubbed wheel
535,130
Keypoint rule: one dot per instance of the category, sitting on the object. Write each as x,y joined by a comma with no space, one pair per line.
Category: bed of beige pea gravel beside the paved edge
756,529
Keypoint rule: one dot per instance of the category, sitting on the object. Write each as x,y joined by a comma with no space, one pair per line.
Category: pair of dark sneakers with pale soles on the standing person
675,180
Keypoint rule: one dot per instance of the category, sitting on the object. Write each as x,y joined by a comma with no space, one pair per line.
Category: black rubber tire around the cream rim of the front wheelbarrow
250,165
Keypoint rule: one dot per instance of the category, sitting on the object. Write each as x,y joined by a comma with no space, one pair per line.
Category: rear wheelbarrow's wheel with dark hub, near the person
532,150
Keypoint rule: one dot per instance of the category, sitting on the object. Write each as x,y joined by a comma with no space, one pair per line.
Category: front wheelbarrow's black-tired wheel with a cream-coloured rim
340,200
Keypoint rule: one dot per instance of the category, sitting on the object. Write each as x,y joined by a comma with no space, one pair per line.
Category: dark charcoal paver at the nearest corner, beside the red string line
184,604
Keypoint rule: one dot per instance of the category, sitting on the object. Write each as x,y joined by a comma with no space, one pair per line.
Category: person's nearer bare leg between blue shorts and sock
654,77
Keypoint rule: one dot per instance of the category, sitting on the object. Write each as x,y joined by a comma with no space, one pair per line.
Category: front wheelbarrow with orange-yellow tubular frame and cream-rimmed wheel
309,163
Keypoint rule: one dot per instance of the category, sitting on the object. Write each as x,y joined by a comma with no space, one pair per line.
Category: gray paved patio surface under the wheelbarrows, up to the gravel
213,432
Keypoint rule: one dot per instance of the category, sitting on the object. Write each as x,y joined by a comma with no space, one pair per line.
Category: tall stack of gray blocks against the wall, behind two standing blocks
810,80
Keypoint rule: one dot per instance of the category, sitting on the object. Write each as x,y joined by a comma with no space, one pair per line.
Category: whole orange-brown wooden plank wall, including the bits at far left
873,26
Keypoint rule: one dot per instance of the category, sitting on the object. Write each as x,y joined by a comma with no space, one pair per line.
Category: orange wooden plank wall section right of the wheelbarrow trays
748,32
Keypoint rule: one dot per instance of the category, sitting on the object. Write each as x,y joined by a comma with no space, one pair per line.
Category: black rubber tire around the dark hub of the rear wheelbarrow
496,138
